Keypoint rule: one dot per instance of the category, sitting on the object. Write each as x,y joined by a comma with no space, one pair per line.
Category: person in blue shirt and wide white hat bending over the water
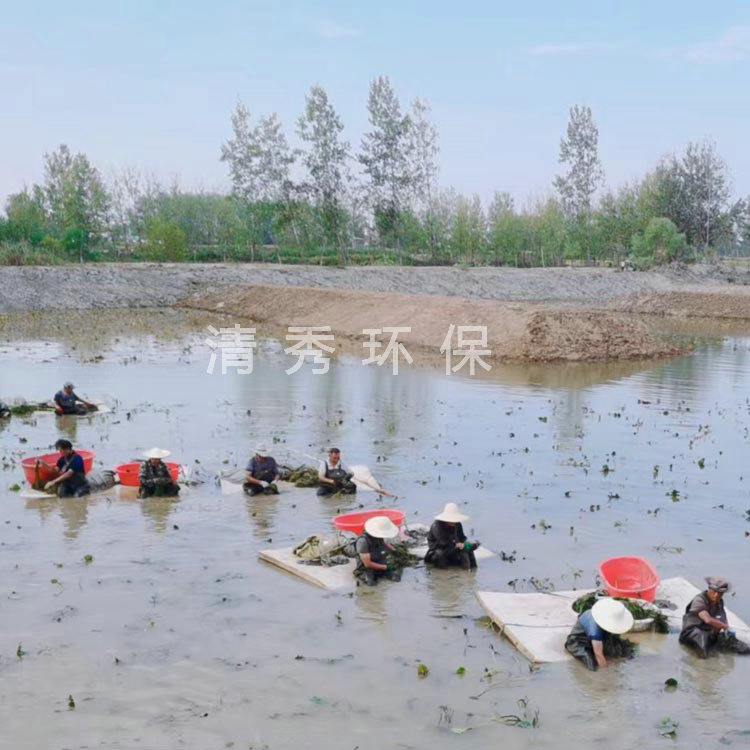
596,635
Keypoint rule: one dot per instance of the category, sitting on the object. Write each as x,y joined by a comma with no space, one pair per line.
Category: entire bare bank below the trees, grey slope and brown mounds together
550,314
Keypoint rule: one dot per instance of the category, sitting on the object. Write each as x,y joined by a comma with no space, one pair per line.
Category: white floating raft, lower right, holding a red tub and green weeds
538,624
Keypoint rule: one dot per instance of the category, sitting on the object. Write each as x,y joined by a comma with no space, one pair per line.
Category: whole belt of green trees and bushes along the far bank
380,204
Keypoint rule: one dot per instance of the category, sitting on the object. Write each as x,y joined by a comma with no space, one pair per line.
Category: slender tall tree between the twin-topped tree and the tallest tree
325,158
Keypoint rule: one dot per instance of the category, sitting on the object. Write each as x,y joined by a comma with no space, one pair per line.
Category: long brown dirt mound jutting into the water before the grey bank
514,332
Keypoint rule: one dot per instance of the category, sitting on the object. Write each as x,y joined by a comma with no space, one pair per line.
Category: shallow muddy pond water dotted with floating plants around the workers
176,636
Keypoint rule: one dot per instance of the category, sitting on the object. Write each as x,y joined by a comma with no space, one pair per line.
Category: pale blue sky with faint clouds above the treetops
151,84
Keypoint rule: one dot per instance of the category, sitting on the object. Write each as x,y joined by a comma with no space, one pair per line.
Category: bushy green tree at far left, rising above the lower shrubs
76,199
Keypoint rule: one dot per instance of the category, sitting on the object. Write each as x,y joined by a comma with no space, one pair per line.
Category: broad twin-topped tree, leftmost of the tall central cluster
259,161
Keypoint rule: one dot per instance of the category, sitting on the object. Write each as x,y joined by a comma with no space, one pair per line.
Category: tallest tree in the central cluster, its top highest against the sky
384,155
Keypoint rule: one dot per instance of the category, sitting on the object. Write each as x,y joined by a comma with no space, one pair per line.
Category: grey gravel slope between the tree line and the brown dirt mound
148,285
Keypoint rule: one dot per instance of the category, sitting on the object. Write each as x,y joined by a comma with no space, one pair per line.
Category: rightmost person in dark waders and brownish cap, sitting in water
704,624
